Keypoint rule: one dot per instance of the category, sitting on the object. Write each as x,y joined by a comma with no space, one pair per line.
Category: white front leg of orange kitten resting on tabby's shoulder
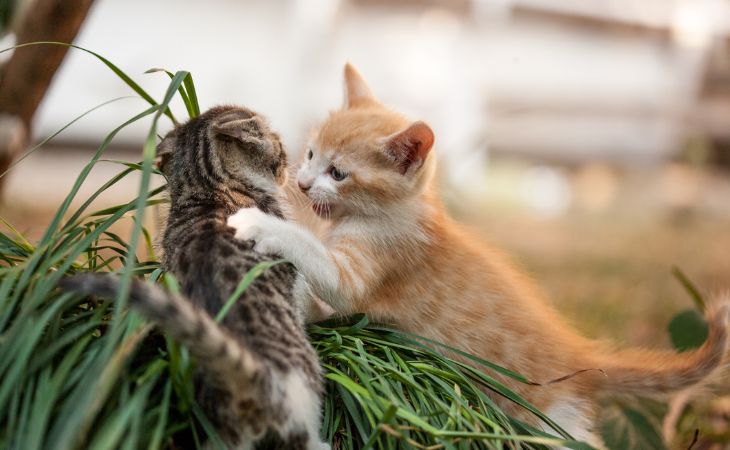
300,247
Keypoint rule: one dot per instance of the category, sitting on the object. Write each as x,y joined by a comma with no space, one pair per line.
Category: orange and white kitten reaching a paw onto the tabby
392,252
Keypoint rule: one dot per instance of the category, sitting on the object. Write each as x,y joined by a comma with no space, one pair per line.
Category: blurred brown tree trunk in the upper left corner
25,78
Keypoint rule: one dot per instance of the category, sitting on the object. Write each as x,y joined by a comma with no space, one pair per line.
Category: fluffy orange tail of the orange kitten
657,372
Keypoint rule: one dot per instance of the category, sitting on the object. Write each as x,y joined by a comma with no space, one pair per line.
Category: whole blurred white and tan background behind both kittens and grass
590,139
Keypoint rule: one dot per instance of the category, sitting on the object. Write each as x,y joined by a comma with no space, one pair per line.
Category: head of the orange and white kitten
364,157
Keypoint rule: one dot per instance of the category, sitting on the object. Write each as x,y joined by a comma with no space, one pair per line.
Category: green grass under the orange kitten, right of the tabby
391,391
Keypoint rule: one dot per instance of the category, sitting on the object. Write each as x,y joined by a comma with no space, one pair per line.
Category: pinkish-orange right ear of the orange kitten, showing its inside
410,147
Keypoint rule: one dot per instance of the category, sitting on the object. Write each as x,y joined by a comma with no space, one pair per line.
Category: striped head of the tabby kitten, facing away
225,148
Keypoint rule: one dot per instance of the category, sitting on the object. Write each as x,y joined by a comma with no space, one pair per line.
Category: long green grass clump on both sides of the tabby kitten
79,372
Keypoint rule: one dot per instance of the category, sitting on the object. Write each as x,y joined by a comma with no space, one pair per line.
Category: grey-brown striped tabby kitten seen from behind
260,380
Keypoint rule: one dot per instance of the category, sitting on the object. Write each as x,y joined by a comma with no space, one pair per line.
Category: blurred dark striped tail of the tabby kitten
218,354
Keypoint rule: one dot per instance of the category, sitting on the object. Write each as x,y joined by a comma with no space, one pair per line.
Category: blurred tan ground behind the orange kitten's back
609,267
